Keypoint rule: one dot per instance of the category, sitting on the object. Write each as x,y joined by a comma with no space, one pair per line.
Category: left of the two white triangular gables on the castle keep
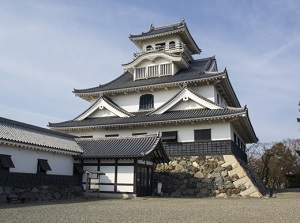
104,102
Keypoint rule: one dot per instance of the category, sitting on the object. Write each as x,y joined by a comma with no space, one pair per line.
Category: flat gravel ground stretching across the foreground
156,210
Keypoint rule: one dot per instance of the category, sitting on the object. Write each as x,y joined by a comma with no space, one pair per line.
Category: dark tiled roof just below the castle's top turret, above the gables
195,71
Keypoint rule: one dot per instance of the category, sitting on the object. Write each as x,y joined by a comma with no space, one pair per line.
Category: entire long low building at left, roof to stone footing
37,163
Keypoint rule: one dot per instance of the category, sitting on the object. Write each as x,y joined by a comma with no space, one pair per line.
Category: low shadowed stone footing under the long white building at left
44,193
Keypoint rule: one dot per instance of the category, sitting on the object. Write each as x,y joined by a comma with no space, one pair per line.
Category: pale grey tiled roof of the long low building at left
19,132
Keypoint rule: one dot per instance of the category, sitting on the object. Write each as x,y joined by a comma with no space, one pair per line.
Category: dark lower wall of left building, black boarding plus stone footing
25,187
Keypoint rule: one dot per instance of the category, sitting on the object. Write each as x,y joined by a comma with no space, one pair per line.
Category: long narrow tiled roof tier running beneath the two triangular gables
141,118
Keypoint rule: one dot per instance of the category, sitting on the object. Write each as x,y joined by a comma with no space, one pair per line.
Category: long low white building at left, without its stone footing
30,150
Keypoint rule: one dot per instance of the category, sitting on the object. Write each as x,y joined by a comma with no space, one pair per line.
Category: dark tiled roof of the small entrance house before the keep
123,147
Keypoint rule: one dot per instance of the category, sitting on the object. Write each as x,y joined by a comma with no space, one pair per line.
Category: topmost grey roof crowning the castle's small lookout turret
177,28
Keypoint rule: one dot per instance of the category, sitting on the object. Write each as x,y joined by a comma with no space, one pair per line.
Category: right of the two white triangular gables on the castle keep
185,94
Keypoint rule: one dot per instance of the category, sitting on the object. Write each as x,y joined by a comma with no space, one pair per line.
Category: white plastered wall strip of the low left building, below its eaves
26,160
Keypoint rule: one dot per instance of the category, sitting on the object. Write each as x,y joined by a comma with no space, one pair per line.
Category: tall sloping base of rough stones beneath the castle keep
206,176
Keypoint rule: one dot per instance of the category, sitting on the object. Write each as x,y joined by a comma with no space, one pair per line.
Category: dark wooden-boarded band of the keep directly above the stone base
205,148
